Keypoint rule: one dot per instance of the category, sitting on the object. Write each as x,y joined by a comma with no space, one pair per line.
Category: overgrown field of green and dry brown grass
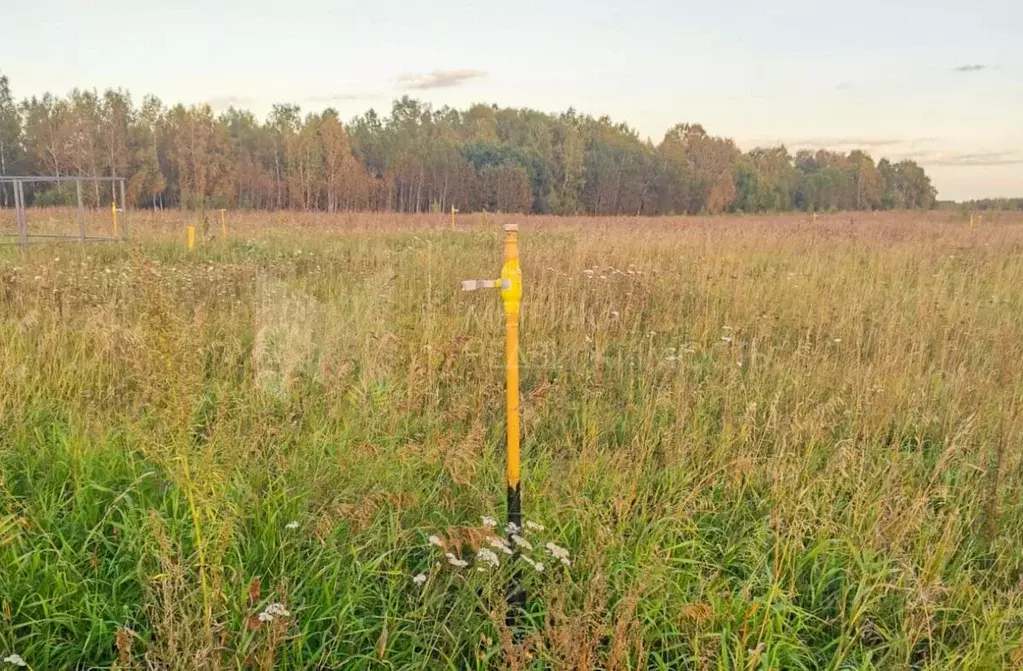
766,443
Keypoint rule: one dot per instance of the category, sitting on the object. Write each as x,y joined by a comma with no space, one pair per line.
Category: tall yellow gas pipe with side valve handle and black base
511,286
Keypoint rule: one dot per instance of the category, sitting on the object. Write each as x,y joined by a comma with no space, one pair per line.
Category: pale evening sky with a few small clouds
936,81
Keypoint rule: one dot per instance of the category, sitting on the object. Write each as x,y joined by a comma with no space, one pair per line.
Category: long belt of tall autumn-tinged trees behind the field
420,159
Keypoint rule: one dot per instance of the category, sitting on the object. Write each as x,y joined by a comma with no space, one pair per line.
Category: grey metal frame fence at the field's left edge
26,237
